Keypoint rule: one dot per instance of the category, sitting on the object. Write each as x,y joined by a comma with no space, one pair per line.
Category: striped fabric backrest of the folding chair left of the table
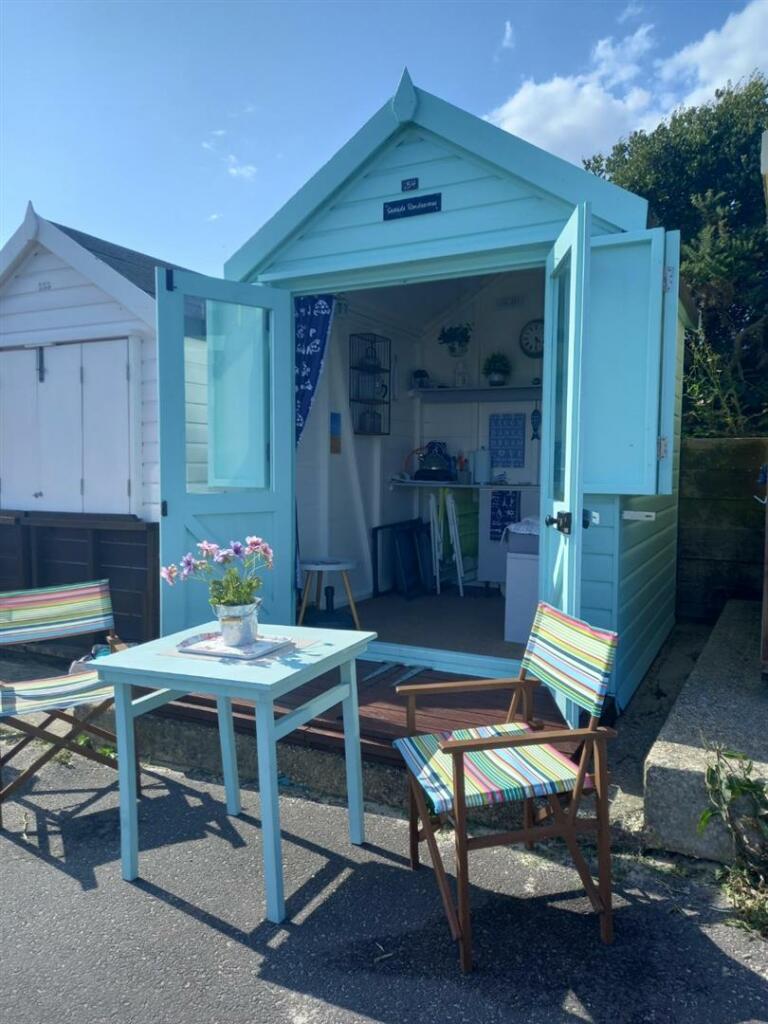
52,613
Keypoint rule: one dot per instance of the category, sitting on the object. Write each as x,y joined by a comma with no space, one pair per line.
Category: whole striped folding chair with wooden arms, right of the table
449,773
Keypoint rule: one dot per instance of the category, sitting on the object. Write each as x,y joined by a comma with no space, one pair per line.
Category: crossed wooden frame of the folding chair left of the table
59,743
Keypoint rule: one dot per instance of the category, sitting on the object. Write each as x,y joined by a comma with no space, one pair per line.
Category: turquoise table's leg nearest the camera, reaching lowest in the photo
268,759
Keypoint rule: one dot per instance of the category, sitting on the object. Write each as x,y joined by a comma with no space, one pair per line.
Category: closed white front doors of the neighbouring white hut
67,429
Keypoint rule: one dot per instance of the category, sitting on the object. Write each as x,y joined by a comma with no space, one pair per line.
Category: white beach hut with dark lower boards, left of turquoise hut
79,463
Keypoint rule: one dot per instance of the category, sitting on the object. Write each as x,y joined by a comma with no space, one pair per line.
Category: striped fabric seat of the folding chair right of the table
496,777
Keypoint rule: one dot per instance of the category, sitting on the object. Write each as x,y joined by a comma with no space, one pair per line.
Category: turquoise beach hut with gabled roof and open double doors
558,481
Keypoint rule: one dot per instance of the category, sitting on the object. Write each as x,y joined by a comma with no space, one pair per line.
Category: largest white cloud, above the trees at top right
625,90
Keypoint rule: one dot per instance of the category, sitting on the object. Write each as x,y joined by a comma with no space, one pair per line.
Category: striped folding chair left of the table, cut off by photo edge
52,614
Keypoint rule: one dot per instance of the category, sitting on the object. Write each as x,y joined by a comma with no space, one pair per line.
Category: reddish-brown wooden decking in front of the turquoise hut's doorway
382,712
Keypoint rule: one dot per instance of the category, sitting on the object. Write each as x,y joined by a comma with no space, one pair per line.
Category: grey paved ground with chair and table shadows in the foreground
365,941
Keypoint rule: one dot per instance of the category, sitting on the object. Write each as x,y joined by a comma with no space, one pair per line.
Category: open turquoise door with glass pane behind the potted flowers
227,431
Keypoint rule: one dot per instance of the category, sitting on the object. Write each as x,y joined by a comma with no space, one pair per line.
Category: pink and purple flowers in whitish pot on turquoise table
234,580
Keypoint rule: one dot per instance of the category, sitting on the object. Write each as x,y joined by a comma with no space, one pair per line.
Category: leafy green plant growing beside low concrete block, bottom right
740,800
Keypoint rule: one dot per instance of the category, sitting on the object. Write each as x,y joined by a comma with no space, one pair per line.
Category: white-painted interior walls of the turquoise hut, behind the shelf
340,497
